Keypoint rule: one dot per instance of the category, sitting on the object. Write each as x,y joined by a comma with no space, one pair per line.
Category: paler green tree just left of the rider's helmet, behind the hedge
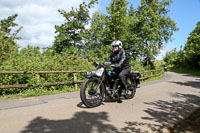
96,46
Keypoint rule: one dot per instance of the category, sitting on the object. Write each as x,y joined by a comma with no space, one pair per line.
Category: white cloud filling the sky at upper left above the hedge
38,18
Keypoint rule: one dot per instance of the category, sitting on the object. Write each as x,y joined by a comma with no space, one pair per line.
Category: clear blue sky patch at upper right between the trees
186,14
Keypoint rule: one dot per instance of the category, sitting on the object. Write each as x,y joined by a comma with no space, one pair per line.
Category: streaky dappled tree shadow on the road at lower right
167,113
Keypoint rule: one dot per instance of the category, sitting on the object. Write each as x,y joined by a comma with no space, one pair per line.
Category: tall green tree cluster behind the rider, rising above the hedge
142,30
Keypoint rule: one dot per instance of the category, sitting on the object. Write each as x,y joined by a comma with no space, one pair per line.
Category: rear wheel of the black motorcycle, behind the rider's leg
132,85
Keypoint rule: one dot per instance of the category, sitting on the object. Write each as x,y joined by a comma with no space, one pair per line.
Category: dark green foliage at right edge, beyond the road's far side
189,56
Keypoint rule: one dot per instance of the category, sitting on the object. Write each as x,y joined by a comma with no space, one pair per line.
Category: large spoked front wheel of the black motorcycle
92,92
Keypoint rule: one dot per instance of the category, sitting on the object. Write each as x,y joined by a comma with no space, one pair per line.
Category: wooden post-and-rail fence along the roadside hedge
144,75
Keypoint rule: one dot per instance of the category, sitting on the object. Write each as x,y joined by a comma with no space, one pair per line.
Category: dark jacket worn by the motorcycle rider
119,59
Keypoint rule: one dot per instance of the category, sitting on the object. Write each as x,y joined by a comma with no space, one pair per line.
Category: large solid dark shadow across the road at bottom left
82,122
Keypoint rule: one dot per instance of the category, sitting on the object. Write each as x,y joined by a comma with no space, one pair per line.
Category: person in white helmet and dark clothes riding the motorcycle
120,62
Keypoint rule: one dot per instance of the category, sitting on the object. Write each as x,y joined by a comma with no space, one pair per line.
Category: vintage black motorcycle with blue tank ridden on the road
104,84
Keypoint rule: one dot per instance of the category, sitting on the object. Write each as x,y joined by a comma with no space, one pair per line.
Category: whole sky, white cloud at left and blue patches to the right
39,17
